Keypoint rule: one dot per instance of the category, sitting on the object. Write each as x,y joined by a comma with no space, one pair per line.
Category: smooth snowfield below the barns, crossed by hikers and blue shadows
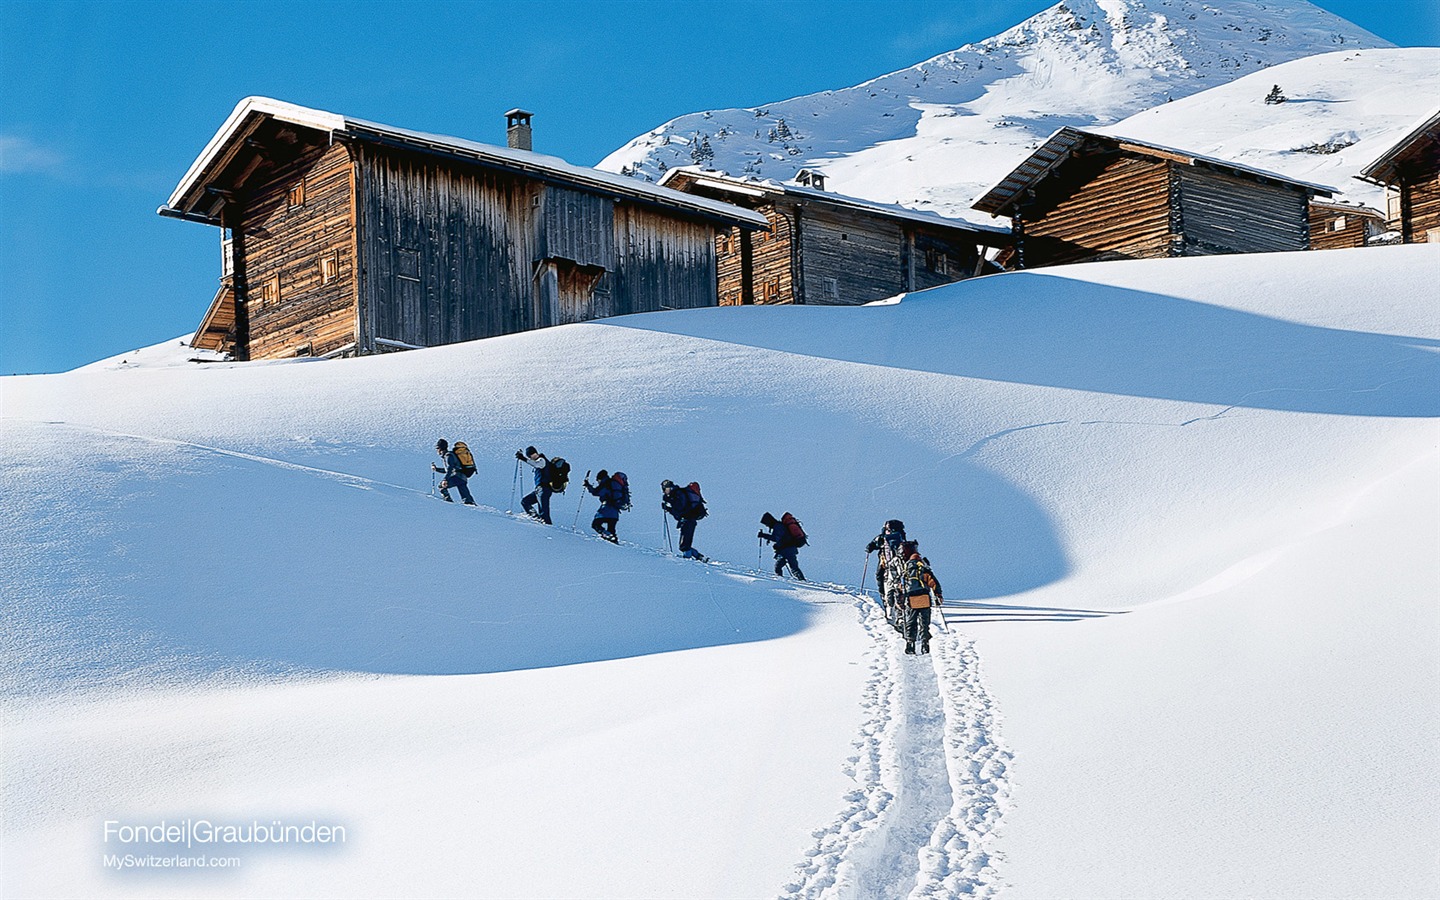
1184,513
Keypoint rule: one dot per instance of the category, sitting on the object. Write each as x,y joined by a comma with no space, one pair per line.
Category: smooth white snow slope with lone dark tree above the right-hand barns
1341,112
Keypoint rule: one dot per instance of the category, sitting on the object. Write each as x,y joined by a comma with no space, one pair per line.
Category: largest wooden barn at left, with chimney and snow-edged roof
343,237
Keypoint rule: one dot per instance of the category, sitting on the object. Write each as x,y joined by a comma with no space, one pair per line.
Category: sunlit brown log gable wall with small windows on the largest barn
300,284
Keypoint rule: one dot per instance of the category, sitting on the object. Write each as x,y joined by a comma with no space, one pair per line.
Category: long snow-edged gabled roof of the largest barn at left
254,110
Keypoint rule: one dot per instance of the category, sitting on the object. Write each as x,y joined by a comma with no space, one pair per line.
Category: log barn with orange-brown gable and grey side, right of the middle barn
1085,197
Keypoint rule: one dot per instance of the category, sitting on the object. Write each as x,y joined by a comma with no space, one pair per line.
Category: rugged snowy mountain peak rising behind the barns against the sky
937,135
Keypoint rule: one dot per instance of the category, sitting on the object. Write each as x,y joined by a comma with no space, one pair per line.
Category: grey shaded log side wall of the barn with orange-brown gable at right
1223,214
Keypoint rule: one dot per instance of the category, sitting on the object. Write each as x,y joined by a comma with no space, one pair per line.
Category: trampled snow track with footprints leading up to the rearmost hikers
931,781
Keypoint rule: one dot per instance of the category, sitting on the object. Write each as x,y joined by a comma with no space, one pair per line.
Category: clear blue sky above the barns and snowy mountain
104,106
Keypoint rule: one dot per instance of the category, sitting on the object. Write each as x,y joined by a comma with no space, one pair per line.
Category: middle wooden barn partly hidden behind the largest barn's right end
826,248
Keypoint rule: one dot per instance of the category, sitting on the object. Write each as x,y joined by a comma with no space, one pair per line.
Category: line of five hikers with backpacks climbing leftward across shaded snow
552,476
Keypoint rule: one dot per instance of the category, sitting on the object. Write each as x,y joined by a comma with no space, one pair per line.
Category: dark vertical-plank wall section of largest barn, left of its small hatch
450,254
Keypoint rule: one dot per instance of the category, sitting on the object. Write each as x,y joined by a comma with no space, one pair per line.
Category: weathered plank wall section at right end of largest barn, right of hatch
662,263
